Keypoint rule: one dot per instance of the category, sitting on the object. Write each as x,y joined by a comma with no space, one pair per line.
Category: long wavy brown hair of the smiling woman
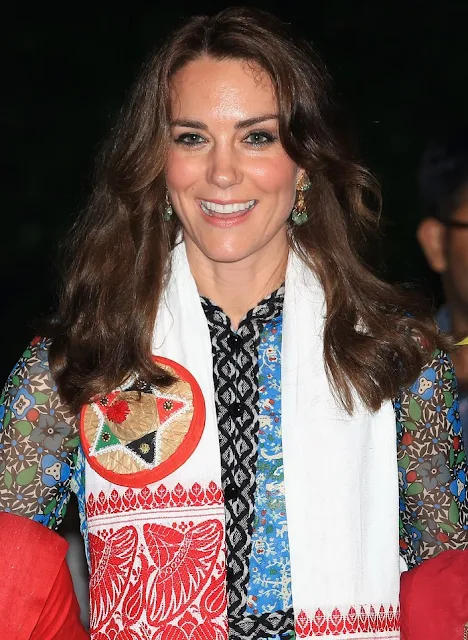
121,244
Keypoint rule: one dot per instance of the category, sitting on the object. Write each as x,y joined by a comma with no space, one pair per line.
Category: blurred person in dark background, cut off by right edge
443,236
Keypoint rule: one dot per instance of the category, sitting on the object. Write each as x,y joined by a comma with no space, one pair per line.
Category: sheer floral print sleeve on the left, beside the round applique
38,441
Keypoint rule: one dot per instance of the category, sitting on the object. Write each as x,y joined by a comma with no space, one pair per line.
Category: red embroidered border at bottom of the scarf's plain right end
355,621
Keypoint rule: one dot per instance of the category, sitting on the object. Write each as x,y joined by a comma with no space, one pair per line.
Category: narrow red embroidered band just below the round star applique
159,498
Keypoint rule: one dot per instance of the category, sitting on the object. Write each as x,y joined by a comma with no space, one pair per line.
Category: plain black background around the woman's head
400,69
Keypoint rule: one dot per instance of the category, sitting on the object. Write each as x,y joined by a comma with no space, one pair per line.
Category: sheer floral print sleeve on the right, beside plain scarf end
431,464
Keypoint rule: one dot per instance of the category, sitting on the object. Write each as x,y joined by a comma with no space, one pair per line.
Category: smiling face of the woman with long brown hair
230,181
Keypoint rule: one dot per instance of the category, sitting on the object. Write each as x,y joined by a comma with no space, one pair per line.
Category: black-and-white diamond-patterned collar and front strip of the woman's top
236,382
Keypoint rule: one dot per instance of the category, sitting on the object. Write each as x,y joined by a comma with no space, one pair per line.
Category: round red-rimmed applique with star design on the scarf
139,434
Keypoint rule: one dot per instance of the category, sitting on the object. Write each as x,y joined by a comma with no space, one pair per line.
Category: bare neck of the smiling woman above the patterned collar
237,287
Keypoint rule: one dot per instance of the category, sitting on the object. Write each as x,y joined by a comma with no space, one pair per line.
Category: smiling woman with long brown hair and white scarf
244,482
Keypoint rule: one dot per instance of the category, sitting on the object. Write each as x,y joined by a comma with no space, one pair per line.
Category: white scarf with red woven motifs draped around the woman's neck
341,488
